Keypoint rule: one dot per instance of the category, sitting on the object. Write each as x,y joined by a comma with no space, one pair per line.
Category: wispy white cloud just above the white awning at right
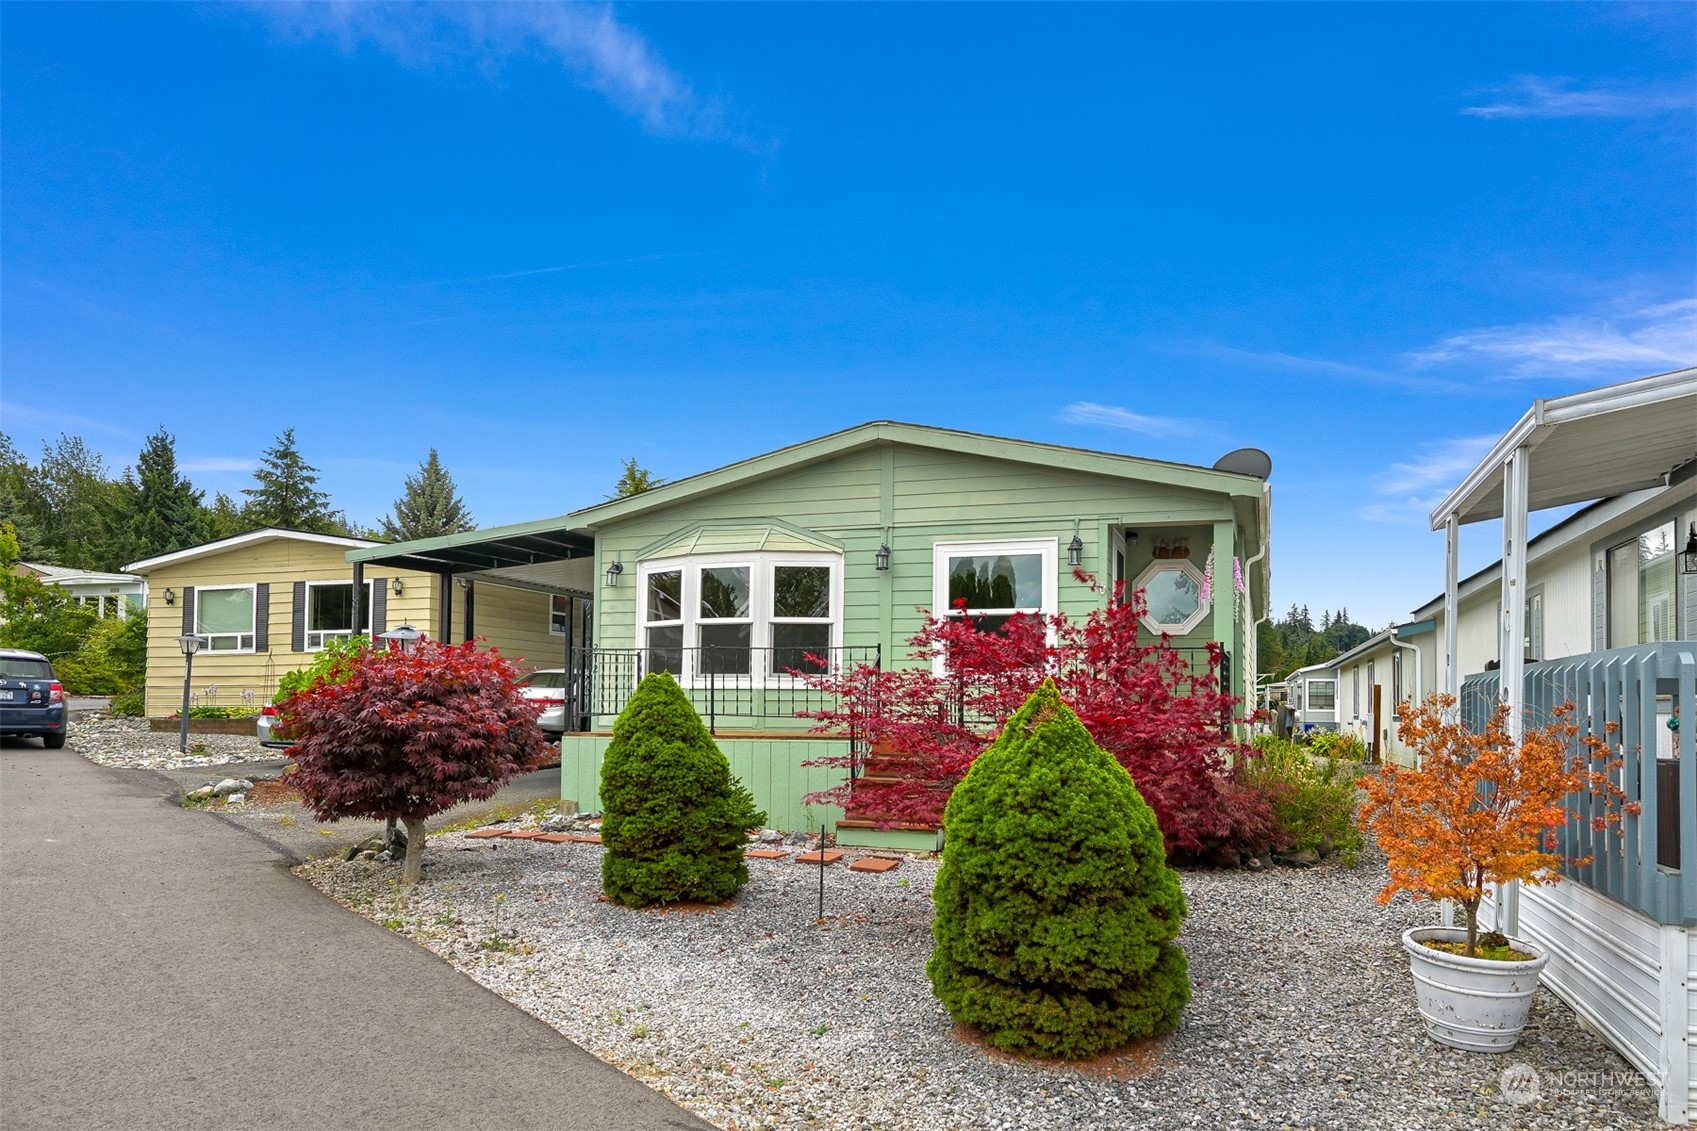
1644,340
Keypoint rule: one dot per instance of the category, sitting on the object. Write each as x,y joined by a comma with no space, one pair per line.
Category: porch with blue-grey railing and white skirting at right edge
1620,928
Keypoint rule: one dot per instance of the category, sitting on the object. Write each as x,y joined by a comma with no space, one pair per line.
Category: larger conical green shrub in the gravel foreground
1056,909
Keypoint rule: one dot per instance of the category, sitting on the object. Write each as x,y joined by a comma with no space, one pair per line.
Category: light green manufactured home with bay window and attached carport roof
834,551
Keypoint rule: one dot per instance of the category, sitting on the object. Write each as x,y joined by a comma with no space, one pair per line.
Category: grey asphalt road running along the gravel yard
160,969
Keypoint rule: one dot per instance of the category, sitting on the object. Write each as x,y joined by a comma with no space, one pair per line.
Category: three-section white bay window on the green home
749,616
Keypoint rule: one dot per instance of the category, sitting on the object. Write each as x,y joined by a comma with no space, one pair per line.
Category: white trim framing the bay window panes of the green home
761,566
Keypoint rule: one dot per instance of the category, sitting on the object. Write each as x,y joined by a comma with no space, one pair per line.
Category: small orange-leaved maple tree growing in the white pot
1482,807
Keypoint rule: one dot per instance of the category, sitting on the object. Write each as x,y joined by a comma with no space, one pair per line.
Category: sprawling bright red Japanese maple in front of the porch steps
1140,699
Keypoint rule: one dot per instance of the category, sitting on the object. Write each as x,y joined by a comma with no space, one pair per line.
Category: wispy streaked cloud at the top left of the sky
586,42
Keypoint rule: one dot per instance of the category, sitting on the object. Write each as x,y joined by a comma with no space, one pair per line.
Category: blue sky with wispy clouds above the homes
547,239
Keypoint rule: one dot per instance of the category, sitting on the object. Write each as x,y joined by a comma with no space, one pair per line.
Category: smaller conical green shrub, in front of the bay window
675,819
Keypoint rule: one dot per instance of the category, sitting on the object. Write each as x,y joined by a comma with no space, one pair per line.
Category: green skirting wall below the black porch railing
771,768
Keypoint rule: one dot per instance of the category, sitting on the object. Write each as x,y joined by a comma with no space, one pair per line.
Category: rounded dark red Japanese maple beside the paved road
410,736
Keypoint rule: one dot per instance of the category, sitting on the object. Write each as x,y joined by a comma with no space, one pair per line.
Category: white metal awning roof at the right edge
1588,446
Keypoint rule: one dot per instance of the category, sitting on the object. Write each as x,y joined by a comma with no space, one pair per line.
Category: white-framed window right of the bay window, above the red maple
994,582
